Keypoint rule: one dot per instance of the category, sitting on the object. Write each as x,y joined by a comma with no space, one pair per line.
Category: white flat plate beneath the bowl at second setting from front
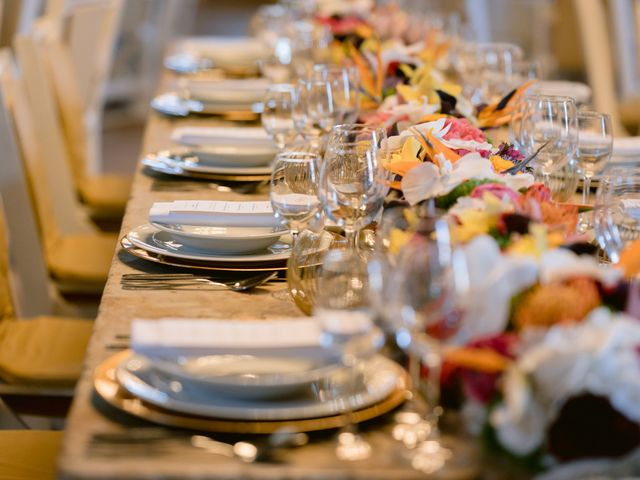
157,241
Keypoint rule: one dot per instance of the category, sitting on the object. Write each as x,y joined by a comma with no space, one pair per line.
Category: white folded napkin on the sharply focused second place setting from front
214,213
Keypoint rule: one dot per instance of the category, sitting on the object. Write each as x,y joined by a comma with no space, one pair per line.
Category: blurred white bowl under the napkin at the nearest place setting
249,376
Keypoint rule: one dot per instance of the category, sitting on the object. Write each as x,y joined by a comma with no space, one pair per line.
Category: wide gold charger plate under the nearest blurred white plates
106,385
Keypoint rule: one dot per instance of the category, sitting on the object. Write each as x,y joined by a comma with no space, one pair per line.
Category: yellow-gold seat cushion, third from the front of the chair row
82,257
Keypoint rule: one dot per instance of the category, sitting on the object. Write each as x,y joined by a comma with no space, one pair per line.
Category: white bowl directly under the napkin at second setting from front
226,240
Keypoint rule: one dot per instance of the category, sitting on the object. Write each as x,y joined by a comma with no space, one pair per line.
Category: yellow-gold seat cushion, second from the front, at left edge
43,350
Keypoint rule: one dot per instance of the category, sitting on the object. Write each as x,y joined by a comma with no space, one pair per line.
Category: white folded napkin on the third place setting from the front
222,136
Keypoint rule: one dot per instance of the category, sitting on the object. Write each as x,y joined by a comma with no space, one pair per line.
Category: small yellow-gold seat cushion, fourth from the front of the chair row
106,192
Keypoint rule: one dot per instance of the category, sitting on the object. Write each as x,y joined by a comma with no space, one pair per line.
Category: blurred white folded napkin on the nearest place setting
171,337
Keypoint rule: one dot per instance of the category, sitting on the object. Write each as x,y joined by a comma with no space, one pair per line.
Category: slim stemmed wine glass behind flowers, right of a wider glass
595,144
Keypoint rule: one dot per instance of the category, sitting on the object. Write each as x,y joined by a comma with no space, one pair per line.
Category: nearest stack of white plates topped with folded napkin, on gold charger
284,373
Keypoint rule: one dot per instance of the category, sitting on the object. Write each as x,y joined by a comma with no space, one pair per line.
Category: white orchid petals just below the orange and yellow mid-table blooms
426,181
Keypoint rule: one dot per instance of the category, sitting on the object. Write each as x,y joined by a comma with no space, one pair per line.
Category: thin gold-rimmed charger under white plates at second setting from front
185,263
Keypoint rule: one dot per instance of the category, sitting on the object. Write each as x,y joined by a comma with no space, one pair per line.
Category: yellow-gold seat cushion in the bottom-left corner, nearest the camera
29,454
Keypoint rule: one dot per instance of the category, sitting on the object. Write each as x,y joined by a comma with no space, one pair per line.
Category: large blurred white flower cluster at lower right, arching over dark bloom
597,356
